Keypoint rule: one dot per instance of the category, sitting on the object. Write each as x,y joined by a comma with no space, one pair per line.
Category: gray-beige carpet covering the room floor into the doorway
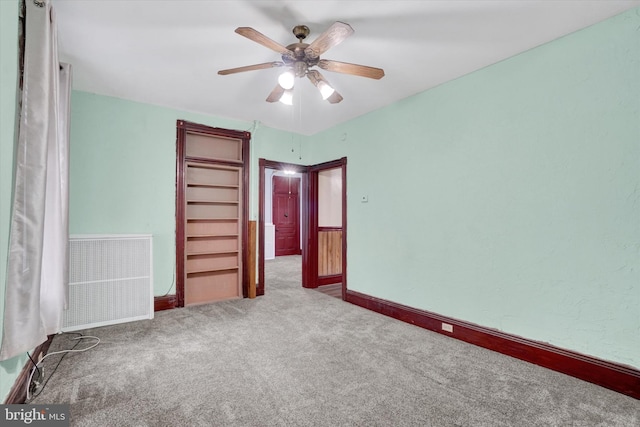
297,357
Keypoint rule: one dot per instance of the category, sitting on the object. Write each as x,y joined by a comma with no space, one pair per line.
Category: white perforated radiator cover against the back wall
110,280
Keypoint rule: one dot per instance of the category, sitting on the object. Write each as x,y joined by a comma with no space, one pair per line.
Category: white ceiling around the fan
168,52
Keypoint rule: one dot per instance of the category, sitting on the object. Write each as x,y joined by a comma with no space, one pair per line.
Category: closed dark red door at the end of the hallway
286,215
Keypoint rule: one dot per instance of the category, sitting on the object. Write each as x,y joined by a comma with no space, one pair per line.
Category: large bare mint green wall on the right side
509,197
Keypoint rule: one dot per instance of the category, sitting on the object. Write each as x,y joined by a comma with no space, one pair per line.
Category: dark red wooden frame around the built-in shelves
182,128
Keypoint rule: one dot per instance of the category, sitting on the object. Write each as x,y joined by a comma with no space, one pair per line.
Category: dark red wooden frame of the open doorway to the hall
308,219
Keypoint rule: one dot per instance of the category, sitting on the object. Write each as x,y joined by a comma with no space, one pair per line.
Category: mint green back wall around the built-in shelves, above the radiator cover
122,174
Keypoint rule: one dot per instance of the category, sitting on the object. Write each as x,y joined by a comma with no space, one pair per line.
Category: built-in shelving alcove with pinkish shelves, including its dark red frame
211,214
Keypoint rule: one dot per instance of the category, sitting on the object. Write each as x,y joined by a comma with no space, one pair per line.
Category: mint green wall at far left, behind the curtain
9,369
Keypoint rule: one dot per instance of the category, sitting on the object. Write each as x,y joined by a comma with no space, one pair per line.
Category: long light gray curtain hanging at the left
36,283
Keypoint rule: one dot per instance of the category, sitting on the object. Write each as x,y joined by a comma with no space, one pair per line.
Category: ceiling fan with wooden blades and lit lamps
300,58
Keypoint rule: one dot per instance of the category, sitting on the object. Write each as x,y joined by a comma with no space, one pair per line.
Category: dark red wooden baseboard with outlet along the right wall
617,377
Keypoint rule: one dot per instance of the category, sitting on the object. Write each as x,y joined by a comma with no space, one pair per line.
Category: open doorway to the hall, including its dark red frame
321,215
